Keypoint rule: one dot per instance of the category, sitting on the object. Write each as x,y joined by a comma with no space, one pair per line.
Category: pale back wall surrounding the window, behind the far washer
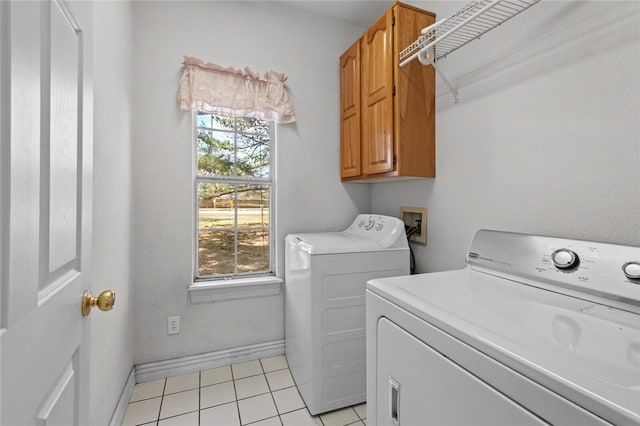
310,197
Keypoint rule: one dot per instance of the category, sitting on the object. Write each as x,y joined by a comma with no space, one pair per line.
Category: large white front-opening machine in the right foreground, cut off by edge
535,331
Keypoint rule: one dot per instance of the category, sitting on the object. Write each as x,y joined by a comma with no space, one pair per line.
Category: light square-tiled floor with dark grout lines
260,393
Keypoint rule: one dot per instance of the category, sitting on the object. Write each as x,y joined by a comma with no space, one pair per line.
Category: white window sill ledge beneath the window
243,288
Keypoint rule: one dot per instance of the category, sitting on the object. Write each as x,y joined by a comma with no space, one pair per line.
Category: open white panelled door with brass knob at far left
45,216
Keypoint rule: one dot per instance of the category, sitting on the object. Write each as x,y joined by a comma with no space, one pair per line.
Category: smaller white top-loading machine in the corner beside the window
325,280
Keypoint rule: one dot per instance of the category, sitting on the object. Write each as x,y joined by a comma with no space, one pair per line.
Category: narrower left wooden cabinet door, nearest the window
350,112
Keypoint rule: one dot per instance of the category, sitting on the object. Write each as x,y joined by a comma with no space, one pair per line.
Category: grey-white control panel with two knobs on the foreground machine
603,270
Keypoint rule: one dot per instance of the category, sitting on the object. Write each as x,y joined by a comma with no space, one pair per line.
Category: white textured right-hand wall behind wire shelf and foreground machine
546,137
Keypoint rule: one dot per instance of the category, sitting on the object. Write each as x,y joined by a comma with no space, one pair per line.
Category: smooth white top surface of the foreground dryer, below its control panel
577,348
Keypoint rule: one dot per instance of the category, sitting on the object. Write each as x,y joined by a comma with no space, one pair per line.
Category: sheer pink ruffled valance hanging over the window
213,89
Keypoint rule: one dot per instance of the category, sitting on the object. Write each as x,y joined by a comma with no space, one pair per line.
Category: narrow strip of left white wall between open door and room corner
112,344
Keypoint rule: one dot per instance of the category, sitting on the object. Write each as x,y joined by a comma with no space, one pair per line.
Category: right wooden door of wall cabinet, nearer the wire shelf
377,97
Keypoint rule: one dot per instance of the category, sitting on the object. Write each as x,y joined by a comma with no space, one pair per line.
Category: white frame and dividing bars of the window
270,182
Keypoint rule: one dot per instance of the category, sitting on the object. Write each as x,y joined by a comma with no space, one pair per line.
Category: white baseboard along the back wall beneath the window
172,367
